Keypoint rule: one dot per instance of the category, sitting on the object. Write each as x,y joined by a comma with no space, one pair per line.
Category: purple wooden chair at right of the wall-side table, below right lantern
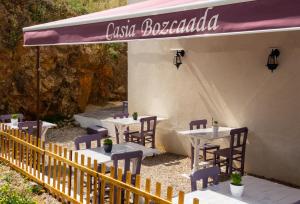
236,151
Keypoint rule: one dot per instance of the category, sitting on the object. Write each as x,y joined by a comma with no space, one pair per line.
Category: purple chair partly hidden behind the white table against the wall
207,148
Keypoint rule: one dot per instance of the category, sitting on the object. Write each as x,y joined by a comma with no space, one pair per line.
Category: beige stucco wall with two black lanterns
225,78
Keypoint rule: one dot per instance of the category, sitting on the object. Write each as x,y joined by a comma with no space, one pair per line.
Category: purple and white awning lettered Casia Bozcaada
157,19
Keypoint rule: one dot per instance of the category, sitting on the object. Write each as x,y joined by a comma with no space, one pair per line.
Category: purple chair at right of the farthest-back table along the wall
147,133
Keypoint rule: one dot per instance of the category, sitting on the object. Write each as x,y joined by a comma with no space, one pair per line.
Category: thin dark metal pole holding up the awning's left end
38,93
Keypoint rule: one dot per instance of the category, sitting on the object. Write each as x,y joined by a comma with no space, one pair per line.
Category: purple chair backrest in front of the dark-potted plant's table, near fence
127,157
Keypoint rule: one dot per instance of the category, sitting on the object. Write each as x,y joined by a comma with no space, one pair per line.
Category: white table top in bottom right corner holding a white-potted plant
257,191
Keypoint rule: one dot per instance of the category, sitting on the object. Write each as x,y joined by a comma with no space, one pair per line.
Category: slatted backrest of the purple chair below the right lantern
238,139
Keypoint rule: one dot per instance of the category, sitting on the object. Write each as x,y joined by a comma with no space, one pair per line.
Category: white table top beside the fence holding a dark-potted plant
102,157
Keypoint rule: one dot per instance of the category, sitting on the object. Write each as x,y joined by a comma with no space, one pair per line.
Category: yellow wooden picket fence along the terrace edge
73,179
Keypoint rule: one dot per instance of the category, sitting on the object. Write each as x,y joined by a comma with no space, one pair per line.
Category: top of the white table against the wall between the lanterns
206,133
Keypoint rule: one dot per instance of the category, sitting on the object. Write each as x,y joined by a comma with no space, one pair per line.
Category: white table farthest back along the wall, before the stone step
123,123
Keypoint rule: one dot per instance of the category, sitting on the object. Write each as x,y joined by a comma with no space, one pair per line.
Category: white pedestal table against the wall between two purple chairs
197,135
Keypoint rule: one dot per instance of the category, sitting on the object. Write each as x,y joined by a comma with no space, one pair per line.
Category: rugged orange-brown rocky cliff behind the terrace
71,76
